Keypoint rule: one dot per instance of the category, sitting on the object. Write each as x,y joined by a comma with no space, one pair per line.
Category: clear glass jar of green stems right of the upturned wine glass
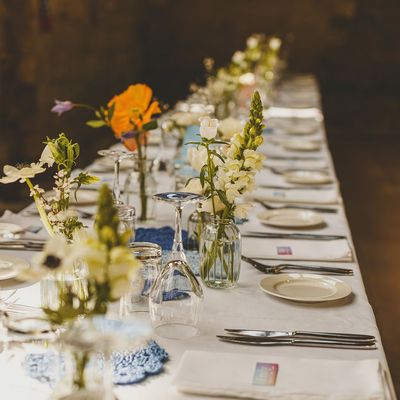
220,253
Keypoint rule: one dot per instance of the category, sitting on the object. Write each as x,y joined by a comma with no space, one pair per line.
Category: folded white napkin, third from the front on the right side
309,196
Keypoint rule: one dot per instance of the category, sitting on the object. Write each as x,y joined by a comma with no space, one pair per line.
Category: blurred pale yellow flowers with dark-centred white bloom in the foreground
110,266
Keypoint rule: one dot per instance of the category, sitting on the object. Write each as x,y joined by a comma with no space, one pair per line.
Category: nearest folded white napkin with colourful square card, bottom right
276,378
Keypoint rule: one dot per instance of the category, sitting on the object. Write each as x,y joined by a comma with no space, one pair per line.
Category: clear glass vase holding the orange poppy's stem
139,188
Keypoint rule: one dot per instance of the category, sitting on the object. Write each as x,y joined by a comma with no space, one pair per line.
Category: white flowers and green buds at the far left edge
54,210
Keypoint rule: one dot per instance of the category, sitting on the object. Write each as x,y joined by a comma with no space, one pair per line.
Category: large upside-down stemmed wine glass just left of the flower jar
176,298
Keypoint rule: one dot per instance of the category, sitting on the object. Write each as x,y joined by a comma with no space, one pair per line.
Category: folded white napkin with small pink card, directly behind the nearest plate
295,249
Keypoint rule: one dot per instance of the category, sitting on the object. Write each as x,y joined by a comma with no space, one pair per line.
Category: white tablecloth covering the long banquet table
249,307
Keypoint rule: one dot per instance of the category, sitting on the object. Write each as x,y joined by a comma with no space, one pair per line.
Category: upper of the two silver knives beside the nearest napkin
291,334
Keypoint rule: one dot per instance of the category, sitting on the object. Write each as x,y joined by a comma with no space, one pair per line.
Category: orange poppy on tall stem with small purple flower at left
131,115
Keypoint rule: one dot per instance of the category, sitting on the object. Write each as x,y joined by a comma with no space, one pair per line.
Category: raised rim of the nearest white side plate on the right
346,289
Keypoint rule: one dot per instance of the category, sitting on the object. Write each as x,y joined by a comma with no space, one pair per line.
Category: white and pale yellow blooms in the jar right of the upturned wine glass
228,174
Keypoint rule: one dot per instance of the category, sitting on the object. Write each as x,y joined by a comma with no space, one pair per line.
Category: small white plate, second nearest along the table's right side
290,218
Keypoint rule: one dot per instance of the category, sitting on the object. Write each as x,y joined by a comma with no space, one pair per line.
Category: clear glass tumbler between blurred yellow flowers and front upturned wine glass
138,298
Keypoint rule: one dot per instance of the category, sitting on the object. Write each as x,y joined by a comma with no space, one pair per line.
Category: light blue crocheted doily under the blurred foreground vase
128,367
